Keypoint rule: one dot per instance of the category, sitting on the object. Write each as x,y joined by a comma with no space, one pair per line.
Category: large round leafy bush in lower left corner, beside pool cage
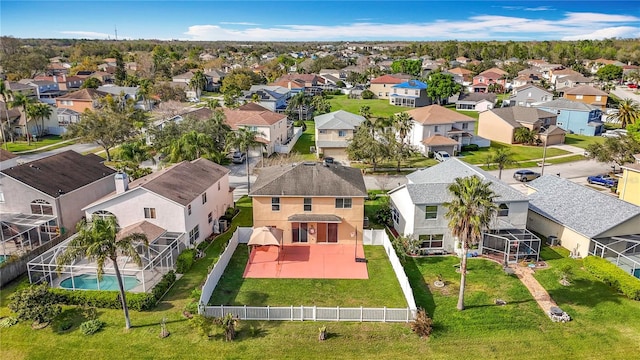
35,303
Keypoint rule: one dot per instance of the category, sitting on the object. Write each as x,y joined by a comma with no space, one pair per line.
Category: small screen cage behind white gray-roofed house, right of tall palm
511,246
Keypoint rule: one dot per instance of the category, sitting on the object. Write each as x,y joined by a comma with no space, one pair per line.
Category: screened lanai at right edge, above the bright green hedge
624,251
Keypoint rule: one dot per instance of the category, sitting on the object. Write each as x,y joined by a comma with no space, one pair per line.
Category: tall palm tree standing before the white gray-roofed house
469,214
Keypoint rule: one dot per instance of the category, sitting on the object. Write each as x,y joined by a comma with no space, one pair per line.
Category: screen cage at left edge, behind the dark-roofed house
22,233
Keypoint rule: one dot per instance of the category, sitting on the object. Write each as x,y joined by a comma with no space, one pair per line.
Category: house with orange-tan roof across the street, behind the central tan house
273,128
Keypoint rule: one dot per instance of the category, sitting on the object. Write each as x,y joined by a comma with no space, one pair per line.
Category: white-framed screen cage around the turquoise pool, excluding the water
157,259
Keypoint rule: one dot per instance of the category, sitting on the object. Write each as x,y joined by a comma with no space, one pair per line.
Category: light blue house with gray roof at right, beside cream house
575,117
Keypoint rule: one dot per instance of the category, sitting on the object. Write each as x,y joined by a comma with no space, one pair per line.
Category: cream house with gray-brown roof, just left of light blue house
501,124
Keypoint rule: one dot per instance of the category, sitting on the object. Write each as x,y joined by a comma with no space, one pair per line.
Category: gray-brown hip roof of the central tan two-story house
310,179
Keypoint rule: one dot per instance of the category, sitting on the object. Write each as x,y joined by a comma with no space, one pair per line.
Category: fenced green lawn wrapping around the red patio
381,289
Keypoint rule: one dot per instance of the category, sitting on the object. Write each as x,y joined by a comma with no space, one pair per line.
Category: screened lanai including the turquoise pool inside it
157,259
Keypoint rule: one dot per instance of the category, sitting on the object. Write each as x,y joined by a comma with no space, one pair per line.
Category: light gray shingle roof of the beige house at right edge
577,207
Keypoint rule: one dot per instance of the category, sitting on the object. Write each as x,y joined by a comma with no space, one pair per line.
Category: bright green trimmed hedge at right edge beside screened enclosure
614,276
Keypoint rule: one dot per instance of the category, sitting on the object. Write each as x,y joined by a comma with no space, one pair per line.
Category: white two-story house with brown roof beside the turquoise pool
188,197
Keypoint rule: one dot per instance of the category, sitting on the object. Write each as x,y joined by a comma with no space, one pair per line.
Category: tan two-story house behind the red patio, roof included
310,202
